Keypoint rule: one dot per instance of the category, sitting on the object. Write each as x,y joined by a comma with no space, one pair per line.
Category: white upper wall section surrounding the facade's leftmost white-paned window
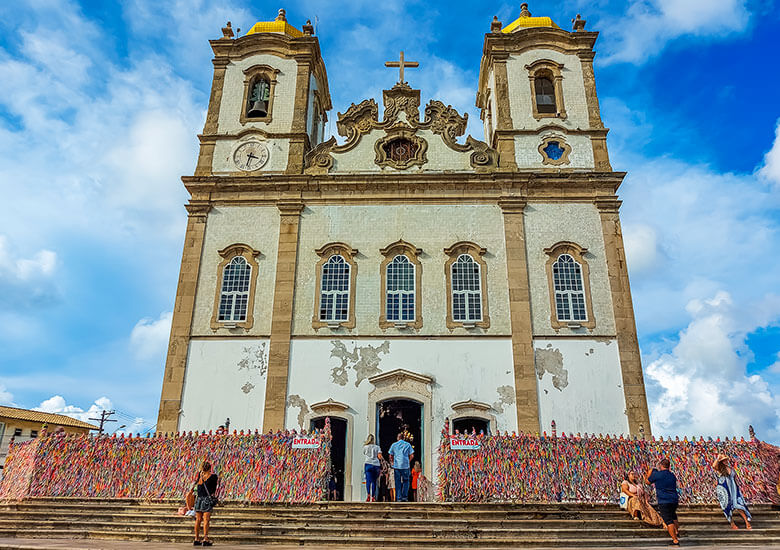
256,226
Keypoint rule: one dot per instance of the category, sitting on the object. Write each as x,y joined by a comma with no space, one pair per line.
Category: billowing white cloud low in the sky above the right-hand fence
702,387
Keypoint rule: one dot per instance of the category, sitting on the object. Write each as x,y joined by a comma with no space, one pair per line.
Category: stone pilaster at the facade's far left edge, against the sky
181,325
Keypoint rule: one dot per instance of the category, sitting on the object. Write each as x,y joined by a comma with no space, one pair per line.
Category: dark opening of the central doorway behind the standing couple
400,415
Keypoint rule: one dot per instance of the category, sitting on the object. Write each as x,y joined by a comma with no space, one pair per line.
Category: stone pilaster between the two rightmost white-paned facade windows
526,393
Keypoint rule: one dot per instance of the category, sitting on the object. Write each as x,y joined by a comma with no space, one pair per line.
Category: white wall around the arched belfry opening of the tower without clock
574,99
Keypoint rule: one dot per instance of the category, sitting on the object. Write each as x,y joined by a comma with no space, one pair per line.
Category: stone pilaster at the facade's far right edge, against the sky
625,325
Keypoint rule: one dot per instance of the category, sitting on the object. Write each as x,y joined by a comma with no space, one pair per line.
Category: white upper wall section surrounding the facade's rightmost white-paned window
548,224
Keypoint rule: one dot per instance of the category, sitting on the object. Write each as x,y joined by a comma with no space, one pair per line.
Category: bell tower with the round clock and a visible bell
269,101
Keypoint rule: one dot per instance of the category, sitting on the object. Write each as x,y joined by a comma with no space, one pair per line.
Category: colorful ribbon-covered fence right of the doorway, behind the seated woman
532,468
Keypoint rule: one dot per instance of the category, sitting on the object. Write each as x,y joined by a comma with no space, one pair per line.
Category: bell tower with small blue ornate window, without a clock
537,95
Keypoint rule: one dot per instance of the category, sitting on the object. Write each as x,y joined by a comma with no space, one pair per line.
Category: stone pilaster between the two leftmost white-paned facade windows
281,322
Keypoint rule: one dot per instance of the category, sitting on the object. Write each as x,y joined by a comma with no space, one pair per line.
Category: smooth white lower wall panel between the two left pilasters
225,378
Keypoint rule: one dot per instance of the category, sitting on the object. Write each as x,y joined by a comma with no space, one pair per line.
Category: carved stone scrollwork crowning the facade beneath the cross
359,120
